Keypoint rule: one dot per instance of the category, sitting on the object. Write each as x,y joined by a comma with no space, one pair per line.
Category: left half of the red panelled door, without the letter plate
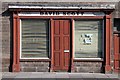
57,45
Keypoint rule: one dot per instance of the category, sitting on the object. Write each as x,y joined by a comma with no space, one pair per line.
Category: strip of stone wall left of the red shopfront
6,38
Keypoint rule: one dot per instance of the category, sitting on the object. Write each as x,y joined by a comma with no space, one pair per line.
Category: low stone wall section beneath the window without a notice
34,66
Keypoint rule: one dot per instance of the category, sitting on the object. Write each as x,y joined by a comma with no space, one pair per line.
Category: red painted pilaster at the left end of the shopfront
16,44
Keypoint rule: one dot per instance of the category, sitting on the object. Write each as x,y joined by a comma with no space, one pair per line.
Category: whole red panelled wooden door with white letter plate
61,45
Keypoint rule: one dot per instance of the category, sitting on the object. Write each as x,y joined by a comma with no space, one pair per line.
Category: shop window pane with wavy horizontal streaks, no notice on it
34,38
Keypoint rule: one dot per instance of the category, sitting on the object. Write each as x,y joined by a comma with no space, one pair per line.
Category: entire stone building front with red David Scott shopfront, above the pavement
61,37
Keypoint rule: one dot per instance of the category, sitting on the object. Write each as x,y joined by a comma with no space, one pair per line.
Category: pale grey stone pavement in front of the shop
57,76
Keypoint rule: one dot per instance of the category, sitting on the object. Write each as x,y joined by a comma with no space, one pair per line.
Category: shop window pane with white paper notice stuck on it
88,38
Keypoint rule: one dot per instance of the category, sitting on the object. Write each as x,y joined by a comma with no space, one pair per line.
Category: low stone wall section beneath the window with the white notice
88,67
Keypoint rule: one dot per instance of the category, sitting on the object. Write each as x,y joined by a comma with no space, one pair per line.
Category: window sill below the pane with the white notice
88,59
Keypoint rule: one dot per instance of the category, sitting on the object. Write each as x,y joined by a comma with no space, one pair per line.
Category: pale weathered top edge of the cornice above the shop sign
110,6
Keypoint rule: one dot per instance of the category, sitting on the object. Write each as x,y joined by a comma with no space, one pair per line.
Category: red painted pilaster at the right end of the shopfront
108,43
